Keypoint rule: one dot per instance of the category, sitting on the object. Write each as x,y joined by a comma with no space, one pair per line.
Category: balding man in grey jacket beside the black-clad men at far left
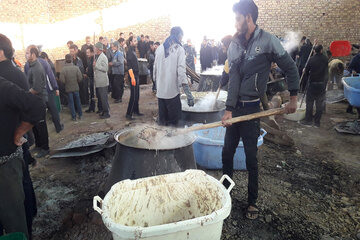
37,81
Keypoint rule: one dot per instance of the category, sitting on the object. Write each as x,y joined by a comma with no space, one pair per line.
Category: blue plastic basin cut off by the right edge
352,90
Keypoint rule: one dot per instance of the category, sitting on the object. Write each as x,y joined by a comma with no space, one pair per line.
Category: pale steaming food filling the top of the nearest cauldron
153,138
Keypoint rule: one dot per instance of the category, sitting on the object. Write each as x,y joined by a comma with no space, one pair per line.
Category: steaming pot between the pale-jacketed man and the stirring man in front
192,115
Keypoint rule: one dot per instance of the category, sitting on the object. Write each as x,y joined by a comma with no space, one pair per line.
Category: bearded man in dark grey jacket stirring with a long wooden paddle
250,55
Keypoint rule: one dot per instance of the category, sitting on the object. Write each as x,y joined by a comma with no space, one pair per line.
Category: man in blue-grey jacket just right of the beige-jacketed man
117,65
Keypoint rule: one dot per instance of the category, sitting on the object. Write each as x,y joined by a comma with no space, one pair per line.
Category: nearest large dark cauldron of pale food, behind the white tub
135,158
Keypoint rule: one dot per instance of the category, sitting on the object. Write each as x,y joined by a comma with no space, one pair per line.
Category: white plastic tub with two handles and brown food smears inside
187,205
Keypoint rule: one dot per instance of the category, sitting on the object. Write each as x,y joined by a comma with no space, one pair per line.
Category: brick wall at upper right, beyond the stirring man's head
326,20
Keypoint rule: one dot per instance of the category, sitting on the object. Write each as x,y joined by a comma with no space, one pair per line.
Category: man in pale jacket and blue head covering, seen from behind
169,76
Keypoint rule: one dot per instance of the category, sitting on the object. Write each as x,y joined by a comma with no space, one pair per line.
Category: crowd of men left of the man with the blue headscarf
89,72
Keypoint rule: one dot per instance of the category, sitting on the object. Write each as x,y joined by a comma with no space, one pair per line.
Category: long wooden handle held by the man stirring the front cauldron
248,117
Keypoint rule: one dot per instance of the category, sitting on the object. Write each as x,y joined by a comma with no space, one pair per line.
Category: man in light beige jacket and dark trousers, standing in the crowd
101,79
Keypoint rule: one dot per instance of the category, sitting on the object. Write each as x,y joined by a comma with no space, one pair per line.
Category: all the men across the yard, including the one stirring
97,70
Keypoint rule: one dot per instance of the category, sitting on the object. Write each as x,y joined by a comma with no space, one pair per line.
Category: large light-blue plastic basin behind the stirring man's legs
208,148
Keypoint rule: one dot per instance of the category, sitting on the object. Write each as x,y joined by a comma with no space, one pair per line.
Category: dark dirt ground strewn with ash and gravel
309,191
